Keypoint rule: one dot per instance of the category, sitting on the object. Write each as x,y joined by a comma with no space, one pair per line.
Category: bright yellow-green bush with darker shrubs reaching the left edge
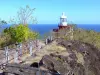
17,34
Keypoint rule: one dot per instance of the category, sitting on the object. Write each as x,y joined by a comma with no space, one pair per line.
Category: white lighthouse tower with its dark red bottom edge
63,21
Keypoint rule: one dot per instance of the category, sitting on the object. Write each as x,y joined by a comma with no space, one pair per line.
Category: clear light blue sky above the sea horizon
49,11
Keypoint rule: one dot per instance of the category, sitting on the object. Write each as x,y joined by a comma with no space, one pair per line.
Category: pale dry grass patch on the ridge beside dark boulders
50,48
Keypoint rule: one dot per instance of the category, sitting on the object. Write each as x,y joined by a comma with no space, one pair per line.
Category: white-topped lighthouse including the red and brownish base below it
64,29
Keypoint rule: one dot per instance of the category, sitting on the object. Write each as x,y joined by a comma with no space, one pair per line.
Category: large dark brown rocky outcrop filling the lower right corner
83,59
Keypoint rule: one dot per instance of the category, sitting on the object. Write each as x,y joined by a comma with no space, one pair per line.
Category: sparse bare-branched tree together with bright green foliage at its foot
19,31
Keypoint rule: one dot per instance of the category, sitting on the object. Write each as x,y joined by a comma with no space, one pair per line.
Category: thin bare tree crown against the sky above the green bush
24,16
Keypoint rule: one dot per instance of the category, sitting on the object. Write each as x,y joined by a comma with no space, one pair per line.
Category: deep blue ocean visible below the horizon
45,28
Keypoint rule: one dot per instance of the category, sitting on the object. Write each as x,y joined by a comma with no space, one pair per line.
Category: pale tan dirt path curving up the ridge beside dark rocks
46,50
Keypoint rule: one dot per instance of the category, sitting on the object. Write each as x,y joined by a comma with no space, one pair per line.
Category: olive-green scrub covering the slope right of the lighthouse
88,36
